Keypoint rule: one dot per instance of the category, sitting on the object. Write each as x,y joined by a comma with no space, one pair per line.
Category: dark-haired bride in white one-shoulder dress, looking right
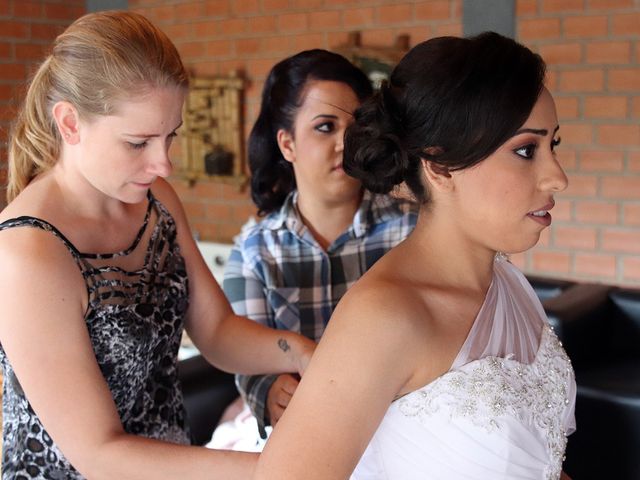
439,362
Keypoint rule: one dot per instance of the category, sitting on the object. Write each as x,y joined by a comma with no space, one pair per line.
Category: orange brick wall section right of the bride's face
592,48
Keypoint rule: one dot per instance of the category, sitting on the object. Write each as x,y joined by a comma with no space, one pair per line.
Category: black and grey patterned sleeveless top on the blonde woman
135,322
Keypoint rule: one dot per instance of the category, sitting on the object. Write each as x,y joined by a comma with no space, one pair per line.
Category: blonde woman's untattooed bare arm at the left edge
45,338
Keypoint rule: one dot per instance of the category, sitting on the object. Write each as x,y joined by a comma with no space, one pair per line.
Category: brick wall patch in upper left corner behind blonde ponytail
26,30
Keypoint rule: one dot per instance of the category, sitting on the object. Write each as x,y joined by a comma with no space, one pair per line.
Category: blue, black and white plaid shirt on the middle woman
278,274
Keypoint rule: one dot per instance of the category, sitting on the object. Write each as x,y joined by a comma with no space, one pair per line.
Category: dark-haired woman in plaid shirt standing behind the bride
321,230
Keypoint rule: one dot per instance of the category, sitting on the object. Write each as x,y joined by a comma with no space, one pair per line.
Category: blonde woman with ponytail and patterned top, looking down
100,273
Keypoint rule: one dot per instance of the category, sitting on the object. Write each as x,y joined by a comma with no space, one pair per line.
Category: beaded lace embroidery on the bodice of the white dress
492,392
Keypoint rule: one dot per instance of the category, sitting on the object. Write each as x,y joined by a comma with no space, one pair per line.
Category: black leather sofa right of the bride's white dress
599,326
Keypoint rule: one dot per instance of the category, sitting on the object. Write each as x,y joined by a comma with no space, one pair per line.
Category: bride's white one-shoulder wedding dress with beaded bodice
503,410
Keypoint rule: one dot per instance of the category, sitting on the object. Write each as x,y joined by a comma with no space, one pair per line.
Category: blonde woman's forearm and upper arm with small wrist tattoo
228,341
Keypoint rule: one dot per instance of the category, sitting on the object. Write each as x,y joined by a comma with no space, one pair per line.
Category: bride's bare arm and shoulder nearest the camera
364,359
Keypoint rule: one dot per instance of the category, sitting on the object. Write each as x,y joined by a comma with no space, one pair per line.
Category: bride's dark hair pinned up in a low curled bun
450,100
